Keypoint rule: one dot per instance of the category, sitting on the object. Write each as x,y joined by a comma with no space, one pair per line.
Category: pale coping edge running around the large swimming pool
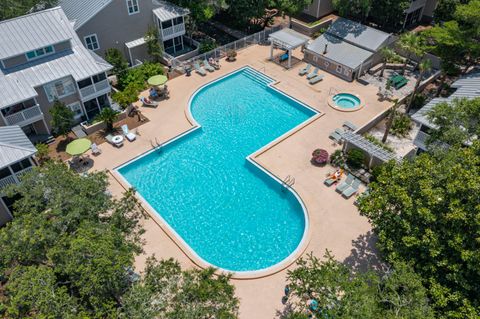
177,239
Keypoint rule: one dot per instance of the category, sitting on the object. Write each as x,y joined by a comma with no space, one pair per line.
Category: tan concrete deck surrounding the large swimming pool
335,223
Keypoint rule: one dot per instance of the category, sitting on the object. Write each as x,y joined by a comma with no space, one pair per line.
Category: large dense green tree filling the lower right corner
425,213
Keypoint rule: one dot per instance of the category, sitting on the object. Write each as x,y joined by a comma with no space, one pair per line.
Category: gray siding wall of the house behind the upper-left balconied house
114,27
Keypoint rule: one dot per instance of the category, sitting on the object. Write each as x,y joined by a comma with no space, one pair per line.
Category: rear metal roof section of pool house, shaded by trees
358,34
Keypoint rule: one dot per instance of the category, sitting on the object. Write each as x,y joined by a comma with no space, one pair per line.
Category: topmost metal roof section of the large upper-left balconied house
30,32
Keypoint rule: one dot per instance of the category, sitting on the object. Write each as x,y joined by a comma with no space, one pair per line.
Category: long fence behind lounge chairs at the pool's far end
221,52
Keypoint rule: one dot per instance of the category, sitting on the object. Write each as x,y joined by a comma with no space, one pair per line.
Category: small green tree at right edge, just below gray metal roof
456,122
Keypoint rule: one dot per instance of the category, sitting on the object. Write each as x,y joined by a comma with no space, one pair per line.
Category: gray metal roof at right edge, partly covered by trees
467,86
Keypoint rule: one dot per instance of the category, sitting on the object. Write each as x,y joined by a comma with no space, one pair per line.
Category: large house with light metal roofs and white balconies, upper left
42,59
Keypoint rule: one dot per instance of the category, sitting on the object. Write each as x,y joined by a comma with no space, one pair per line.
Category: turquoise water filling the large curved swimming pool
231,213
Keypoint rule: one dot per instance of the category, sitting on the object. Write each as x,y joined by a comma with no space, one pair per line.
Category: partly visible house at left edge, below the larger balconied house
16,158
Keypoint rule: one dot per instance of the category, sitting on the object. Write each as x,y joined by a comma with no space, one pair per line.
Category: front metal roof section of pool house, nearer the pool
339,51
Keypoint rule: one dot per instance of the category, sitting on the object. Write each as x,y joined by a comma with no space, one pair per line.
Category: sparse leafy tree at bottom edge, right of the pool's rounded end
338,292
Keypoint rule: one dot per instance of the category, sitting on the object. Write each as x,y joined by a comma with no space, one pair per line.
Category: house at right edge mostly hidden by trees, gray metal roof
466,87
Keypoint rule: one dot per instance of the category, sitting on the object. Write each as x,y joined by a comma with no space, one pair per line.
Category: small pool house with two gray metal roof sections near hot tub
347,49
